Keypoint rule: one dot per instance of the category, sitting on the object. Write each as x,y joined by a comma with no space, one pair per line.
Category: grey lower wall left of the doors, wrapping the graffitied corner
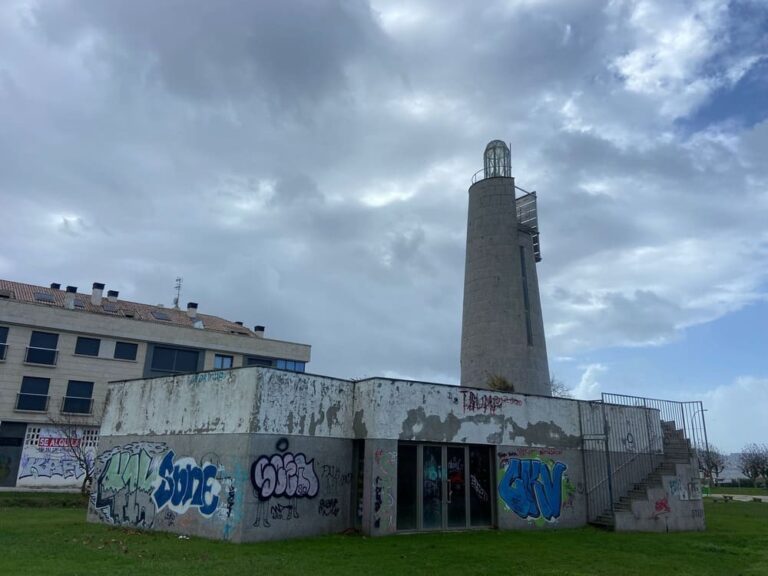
239,487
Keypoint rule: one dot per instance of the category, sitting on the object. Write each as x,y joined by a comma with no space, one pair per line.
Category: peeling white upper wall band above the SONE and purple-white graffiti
258,400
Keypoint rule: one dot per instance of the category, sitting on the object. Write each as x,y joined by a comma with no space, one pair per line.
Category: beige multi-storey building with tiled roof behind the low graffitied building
59,348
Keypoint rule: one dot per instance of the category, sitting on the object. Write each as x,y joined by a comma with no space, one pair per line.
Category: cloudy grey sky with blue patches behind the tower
305,165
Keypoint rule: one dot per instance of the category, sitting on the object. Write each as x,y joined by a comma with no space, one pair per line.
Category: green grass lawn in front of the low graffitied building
55,539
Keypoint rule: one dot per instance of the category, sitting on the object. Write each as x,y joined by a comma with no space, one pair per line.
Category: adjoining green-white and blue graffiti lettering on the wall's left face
138,480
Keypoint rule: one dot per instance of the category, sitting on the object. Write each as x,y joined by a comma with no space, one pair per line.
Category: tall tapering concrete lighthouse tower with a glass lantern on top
502,337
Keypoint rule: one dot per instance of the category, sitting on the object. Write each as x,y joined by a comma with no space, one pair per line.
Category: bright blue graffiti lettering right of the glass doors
536,488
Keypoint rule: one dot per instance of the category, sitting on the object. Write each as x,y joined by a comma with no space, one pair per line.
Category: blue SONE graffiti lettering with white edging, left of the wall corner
183,484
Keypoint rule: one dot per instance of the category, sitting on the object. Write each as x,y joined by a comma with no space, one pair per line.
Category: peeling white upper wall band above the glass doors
403,410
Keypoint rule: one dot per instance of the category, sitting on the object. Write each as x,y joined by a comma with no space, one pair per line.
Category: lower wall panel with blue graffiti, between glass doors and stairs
540,487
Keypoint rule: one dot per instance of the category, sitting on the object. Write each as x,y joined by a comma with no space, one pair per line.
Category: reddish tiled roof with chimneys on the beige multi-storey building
122,308
